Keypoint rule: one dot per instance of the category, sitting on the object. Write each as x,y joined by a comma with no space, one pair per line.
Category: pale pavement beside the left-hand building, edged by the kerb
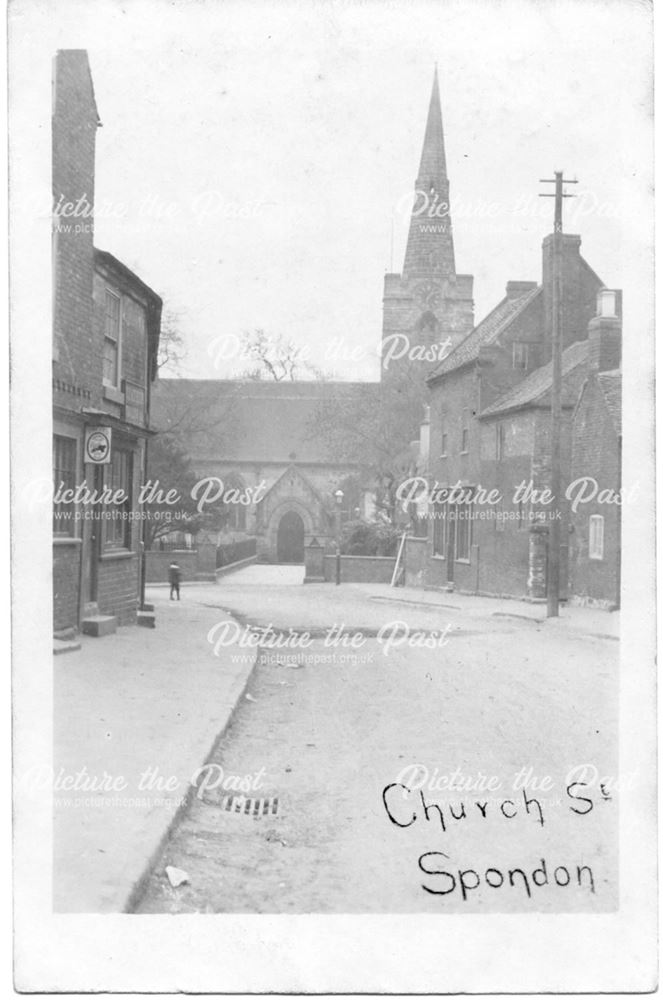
135,715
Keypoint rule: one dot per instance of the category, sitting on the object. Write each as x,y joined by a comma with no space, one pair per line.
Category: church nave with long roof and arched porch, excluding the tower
256,439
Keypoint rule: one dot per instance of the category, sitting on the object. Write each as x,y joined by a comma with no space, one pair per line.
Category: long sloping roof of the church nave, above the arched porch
252,421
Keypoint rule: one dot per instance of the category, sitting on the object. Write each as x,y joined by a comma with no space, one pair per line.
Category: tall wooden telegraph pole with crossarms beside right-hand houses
554,528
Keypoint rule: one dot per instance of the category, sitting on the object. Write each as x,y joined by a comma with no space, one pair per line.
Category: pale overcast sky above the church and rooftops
254,158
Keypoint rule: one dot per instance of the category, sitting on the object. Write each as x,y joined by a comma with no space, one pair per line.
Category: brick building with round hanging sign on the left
106,325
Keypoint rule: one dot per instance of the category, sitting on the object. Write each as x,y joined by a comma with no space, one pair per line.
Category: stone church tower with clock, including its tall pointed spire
429,303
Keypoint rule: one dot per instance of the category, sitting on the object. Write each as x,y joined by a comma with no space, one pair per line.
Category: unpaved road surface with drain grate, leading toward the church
413,759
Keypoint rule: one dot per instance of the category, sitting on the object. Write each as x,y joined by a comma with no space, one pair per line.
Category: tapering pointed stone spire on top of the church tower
430,250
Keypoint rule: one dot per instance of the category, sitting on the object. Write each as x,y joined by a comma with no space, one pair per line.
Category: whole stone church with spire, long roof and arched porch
258,432
